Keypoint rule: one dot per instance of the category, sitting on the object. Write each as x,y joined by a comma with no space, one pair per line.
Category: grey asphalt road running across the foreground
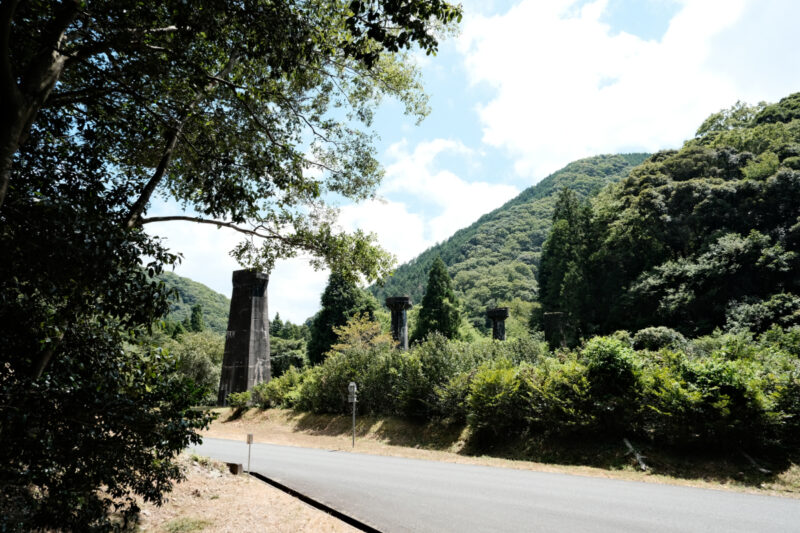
396,494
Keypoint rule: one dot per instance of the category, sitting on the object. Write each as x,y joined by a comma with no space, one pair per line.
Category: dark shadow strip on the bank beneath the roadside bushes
775,469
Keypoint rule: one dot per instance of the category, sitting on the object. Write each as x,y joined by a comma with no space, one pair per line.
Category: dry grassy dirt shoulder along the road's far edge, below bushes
395,437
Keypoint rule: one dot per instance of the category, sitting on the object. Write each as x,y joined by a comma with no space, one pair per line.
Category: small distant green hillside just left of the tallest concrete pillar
215,305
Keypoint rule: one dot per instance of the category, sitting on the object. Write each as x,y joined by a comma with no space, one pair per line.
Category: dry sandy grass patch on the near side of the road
212,500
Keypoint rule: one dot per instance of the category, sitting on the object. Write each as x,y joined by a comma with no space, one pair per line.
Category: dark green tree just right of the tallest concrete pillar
341,300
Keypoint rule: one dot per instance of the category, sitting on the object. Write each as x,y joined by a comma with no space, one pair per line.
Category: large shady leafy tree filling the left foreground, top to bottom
247,114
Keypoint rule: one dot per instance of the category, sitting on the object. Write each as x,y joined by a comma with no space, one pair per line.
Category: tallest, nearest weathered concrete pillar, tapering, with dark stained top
246,359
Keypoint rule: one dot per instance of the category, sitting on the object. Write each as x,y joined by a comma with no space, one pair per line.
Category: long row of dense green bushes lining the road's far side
728,390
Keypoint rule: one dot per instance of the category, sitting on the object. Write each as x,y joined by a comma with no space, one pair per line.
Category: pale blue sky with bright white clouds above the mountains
525,88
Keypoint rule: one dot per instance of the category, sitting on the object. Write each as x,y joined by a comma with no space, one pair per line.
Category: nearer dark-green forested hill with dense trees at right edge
695,239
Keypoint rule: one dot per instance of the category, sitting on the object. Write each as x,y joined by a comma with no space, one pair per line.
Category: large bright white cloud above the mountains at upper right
568,86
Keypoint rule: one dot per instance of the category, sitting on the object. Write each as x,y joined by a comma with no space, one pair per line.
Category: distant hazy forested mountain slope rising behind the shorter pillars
494,260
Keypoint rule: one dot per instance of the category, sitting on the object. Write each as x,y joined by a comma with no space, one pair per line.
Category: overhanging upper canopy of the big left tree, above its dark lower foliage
248,114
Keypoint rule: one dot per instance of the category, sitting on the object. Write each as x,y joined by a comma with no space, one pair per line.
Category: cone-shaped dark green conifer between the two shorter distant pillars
439,311
